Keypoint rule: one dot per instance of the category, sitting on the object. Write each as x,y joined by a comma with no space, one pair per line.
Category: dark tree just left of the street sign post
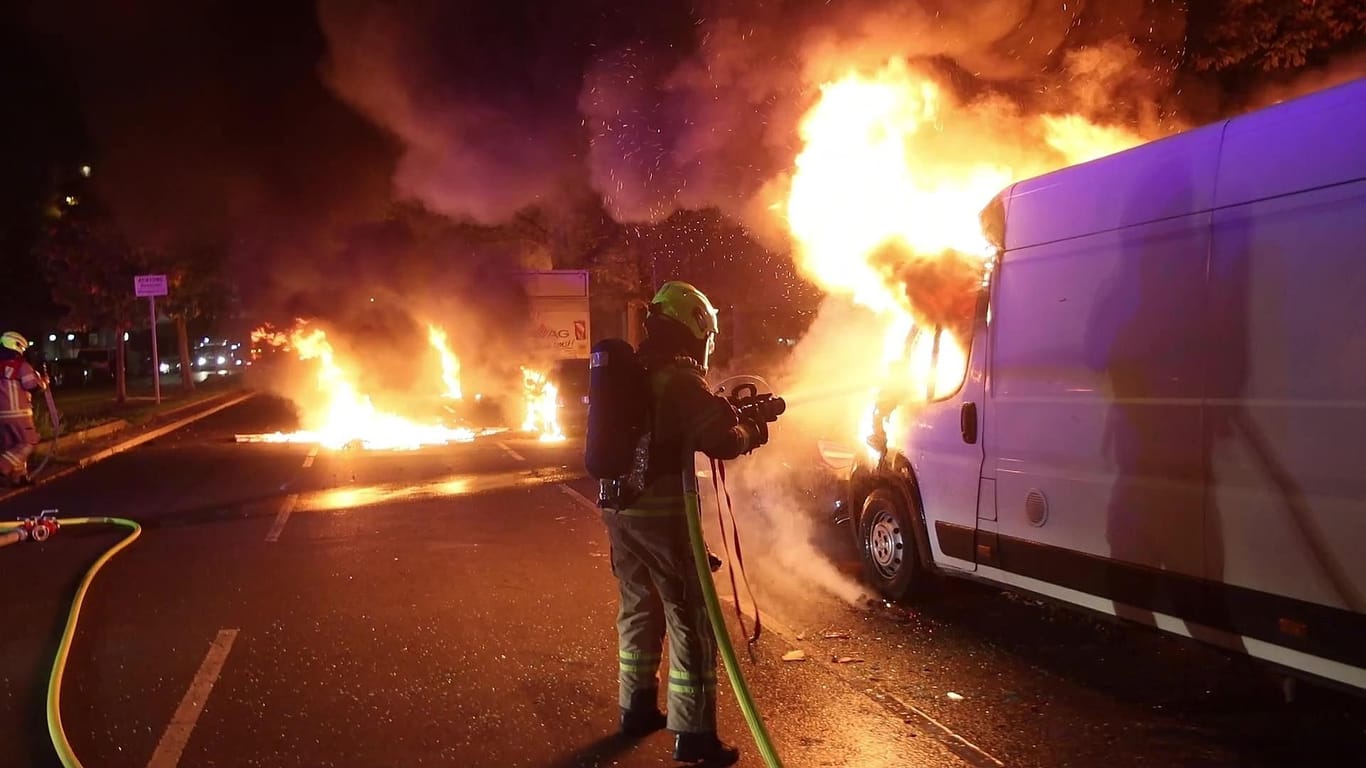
91,267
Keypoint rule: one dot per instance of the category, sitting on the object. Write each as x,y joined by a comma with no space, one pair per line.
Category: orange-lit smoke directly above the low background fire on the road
386,281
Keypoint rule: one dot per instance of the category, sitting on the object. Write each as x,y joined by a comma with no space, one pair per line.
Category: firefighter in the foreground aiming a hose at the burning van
652,558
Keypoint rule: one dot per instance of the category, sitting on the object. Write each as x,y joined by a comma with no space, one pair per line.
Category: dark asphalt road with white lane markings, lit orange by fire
456,607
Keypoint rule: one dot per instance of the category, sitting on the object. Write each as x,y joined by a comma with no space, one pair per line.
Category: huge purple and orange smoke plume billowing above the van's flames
686,107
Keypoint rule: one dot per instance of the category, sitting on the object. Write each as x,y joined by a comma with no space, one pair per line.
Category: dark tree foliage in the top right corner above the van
1271,35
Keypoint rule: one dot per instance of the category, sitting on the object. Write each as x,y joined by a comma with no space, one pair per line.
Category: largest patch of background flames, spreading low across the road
337,415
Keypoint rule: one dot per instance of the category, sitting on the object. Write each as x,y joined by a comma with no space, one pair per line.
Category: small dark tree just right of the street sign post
197,289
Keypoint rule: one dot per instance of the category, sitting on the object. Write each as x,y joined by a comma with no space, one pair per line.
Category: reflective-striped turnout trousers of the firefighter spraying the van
662,596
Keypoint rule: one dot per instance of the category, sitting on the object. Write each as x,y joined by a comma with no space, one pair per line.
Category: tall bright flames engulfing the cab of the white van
884,208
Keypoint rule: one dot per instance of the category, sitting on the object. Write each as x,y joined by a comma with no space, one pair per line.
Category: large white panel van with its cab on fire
1165,409
